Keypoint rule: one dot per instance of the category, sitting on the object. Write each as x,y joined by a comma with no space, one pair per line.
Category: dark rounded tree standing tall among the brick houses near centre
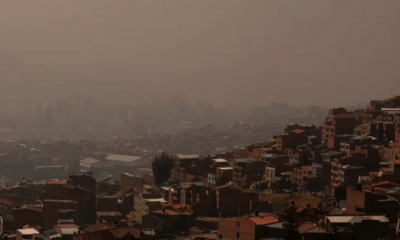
162,166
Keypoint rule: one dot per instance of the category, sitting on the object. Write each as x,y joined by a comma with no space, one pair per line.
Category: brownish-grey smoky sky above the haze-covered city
255,51
